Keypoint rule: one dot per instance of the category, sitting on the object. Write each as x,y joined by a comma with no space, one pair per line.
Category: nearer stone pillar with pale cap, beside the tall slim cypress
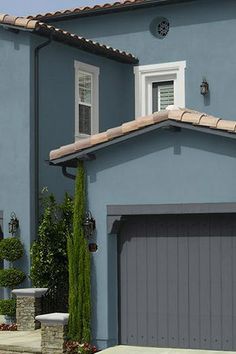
53,332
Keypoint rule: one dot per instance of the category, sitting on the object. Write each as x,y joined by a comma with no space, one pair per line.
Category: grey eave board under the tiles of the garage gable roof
71,160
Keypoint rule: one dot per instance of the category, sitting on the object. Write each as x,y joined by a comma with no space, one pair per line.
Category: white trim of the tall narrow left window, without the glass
94,71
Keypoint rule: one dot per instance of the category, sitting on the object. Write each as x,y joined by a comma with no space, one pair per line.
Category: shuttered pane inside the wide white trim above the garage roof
162,95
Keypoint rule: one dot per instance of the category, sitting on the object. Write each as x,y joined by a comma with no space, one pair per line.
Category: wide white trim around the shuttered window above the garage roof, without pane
145,75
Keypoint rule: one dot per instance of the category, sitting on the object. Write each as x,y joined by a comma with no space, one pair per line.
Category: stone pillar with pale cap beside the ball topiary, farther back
28,306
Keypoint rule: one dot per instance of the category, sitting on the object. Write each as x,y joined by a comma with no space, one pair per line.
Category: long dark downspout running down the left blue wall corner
36,127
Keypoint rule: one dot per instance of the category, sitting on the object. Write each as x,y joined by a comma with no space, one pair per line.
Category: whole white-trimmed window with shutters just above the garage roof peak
158,86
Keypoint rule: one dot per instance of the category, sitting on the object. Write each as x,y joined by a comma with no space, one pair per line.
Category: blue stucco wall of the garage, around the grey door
161,167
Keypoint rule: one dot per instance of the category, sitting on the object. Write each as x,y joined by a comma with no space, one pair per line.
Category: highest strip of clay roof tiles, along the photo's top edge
83,9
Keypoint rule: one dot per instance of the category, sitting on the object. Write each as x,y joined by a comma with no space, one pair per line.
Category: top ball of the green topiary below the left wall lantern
11,249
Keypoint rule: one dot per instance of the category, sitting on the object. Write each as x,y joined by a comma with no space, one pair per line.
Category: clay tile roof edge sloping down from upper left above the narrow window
67,37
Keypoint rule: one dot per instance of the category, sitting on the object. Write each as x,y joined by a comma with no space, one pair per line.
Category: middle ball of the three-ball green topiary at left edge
10,278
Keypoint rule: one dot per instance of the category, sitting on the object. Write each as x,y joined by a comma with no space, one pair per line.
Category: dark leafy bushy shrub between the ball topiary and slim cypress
49,252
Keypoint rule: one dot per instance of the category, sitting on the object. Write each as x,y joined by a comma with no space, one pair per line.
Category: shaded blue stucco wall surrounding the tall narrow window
57,103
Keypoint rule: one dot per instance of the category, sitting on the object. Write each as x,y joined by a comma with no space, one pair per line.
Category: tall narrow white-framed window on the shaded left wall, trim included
86,100
